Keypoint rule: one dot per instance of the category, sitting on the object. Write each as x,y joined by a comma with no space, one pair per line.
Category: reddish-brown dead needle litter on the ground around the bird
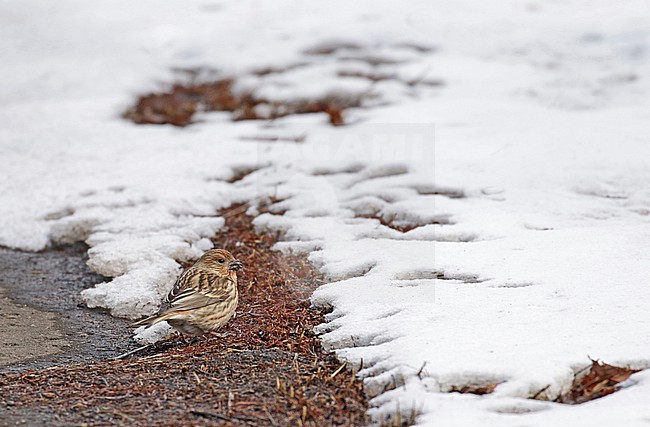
267,368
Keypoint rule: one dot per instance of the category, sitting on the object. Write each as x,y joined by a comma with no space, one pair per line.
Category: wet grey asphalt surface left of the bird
42,316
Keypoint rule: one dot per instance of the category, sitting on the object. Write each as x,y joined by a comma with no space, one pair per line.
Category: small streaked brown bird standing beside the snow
204,297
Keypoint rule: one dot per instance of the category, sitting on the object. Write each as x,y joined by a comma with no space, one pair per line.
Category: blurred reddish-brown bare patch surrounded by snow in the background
181,102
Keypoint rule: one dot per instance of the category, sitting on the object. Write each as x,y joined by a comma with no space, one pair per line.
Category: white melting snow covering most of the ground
526,171
